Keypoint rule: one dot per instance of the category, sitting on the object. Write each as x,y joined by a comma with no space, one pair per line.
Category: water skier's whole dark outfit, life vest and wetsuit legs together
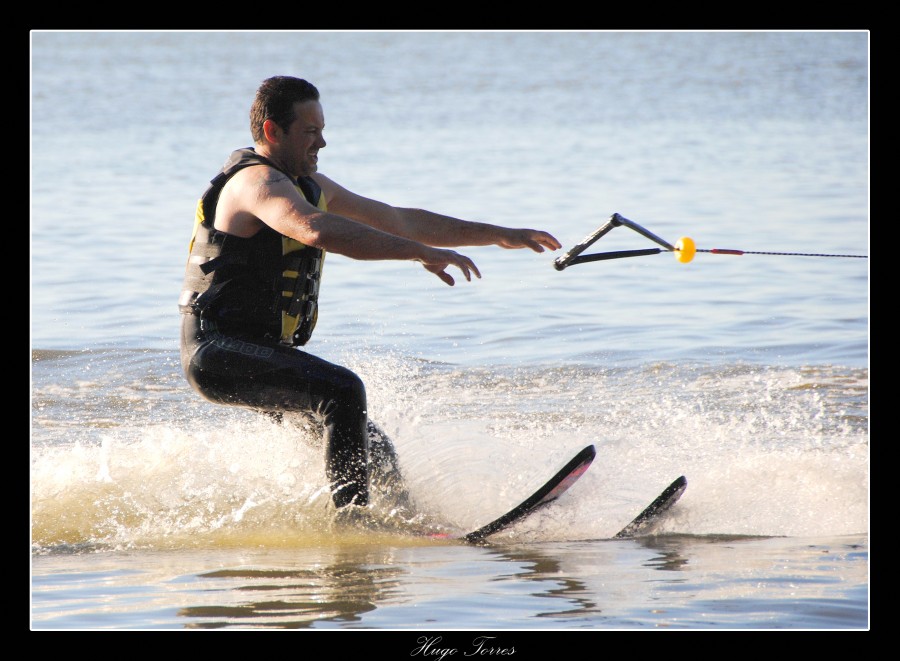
247,304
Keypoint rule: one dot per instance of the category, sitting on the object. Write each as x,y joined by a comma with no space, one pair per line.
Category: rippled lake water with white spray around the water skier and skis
152,509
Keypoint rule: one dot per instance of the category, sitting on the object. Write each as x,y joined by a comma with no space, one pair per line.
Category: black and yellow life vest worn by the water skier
266,285
